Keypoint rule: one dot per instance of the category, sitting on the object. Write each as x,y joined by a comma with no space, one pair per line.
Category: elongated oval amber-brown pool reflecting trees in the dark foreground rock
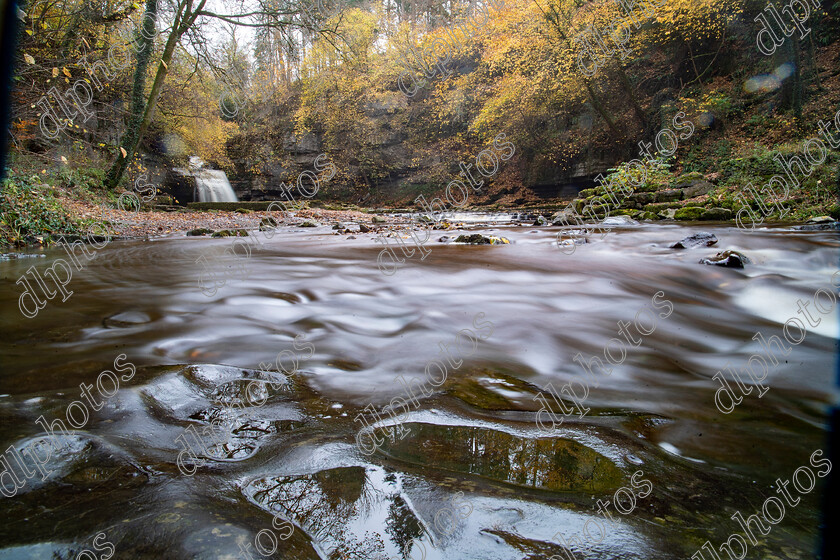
556,464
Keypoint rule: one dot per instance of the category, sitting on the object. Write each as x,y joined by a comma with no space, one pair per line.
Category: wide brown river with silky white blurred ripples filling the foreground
467,473
